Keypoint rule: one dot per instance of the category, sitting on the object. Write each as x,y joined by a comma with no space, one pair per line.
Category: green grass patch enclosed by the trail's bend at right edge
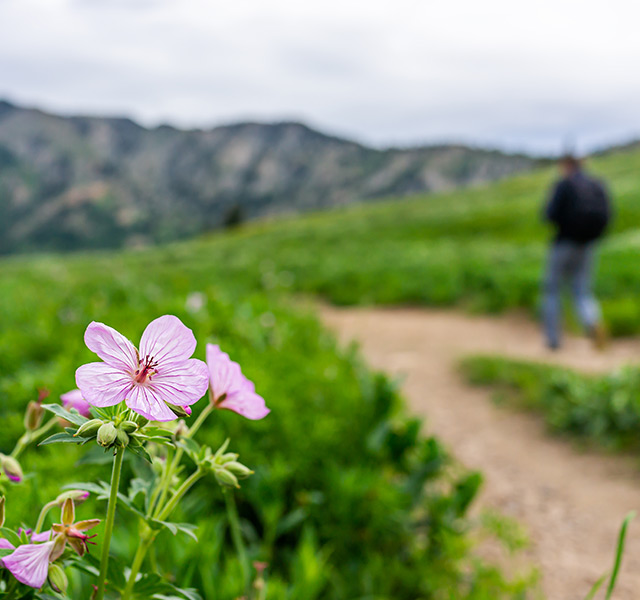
602,411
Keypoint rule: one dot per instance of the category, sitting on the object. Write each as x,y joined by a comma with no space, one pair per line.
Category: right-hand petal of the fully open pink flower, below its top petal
182,384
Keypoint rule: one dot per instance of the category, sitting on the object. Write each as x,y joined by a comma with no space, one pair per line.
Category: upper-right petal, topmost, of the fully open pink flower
167,340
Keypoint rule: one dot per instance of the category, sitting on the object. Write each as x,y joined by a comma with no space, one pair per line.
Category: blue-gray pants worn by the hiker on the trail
570,263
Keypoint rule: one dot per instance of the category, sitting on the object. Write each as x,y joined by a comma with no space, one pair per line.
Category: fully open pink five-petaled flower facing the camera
161,373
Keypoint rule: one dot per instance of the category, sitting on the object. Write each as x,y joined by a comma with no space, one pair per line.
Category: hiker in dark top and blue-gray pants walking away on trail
580,211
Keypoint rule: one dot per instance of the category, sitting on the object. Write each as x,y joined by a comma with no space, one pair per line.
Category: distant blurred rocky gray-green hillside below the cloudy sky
87,182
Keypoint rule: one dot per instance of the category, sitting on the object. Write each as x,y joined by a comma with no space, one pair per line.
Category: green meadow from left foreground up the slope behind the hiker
349,500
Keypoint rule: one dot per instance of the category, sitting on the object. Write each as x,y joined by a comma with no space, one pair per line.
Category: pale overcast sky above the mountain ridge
507,73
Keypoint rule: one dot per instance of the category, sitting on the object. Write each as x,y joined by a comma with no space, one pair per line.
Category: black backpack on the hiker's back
588,209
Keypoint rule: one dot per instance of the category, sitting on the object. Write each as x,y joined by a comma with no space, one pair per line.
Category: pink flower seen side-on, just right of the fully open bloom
230,389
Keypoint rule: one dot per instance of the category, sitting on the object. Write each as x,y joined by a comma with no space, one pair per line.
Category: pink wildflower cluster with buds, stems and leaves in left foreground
125,403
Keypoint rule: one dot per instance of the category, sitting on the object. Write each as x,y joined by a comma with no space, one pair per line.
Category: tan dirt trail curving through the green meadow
572,502
